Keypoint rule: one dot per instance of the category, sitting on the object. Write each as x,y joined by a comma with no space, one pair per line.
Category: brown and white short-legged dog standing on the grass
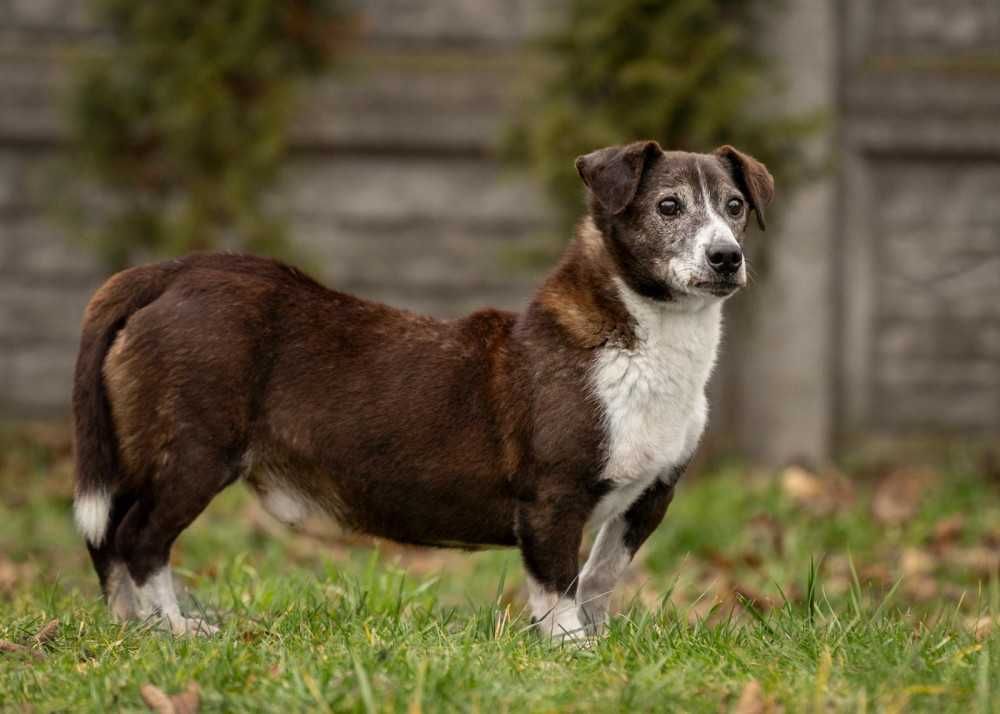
496,429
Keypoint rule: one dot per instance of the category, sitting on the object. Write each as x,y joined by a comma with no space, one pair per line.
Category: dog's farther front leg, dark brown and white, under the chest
616,544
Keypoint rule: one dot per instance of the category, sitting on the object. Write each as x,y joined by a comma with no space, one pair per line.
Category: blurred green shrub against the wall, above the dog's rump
180,121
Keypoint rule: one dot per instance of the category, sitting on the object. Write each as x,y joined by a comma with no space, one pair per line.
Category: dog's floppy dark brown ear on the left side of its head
613,174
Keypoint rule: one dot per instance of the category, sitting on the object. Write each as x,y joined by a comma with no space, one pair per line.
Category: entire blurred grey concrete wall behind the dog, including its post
879,313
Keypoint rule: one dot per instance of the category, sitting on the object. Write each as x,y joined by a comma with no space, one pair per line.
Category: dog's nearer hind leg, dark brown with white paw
165,506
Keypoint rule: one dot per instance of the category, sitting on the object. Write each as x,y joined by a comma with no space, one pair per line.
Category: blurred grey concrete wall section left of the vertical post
392,191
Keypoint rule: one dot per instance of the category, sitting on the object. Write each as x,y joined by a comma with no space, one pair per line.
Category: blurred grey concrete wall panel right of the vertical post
919,241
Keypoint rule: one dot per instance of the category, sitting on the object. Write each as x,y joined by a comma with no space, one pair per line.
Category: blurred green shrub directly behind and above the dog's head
685,72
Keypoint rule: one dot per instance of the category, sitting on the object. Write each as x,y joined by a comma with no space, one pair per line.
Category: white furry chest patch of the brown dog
653,396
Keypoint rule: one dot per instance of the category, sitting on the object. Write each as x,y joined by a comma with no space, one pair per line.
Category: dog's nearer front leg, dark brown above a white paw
550,539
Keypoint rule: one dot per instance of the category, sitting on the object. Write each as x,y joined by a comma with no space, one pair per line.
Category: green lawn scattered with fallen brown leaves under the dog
785,591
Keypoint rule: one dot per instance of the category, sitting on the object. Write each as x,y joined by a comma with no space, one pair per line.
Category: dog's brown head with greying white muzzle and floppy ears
674,221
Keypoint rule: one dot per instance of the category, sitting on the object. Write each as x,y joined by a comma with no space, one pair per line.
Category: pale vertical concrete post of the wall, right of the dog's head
780,361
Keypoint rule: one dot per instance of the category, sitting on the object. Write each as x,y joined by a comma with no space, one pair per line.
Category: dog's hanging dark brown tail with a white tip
96,444
